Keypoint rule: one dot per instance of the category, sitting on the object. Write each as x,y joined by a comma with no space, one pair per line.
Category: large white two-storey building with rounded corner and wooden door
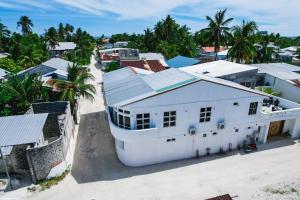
173,115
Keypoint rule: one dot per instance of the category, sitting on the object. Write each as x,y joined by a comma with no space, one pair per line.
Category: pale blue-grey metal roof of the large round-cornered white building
126,85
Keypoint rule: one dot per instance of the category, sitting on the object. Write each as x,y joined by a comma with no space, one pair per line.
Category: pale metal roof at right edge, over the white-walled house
280,70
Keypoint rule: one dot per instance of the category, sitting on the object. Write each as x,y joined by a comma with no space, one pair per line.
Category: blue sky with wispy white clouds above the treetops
134,16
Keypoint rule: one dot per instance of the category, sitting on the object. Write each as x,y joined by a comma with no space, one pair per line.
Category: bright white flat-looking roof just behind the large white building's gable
217,68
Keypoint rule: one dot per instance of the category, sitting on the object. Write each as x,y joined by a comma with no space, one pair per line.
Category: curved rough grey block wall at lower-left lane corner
42,159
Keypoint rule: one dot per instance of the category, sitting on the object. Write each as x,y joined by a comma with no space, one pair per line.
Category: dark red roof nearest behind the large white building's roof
151,65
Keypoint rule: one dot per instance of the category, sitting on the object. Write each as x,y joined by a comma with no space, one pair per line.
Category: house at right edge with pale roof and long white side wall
282,77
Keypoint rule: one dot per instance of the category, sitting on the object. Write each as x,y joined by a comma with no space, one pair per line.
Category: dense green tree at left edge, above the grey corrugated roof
16,95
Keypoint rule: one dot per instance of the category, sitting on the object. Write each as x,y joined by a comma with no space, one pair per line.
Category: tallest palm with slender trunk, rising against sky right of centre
218,30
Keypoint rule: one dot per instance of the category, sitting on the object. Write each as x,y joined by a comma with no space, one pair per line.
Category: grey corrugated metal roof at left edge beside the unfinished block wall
21,129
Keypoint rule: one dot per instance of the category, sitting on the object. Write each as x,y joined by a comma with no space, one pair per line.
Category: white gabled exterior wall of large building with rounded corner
142,147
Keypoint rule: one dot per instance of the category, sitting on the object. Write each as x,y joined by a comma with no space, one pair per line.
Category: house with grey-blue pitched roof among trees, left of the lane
55,68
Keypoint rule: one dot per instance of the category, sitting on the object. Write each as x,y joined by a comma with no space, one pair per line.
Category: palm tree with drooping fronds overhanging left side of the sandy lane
76,84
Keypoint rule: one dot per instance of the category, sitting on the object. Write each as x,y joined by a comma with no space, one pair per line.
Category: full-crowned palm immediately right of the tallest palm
243,49
